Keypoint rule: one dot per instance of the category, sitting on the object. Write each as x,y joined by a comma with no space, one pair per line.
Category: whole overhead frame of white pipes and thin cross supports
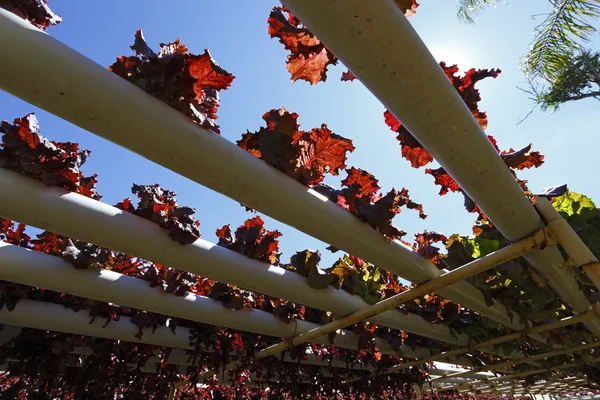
78,90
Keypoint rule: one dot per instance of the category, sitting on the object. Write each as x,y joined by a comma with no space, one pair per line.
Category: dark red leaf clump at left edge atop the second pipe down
26,151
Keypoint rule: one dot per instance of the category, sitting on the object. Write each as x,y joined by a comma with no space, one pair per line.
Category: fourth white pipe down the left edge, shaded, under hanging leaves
53,317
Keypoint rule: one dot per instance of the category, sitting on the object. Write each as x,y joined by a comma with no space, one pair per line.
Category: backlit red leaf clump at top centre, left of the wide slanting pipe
309,58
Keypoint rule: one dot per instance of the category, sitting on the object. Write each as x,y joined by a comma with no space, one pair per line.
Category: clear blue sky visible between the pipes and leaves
235,31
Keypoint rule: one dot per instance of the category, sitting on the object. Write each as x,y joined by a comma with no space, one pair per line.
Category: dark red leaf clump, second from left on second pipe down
160,206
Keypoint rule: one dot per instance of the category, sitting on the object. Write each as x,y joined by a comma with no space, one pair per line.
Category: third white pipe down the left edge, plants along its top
33,268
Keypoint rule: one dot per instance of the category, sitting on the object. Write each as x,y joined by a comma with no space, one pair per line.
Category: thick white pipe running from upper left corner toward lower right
78,90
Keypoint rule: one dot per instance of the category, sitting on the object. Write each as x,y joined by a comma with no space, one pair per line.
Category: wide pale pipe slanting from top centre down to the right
433,111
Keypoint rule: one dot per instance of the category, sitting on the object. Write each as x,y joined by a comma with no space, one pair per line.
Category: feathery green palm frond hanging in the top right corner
567,26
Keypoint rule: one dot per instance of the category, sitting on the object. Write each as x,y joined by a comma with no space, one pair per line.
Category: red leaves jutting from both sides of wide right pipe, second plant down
465,85
